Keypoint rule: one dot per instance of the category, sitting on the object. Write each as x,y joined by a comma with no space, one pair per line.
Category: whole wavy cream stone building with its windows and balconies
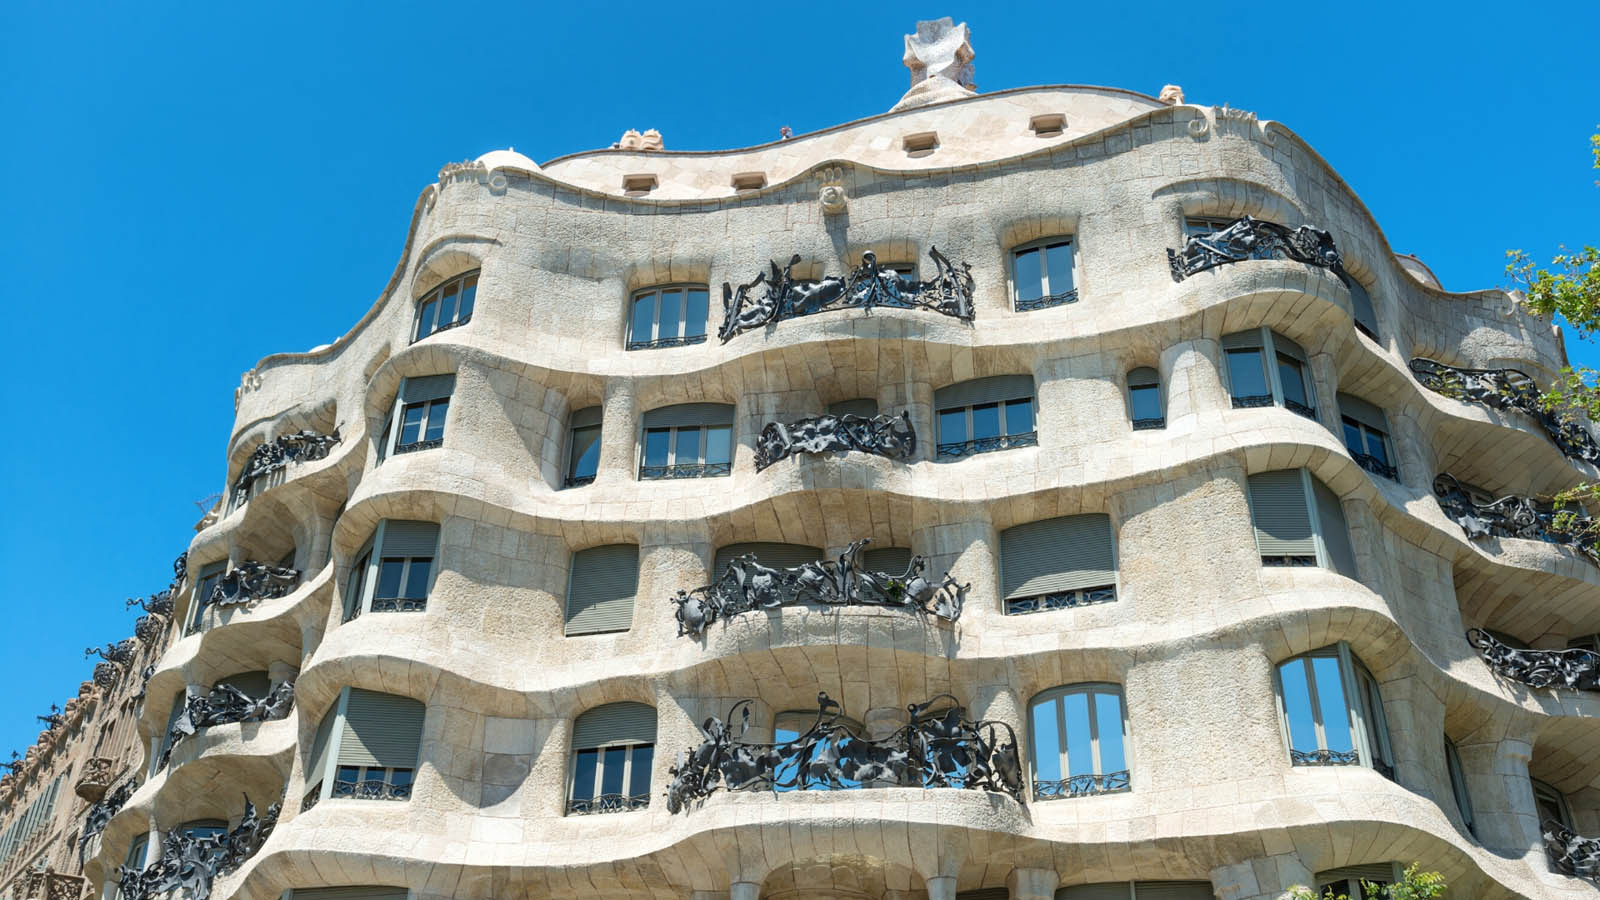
535,550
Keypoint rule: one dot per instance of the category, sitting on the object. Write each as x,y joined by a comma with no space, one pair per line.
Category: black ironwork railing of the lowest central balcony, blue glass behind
938,749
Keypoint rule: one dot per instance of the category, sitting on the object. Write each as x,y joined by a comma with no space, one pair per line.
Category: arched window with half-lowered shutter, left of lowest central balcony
614,749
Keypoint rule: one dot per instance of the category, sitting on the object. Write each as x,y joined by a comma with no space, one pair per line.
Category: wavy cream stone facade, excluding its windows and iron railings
1193,640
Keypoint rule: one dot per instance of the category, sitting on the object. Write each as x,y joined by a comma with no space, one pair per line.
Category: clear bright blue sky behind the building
196,187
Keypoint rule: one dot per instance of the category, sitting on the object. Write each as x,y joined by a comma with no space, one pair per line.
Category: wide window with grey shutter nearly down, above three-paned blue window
1057,565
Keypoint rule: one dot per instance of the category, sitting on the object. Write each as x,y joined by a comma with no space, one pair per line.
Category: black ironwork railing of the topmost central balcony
868,287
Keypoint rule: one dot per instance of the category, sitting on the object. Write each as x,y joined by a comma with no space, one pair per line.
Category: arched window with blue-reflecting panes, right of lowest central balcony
1079,742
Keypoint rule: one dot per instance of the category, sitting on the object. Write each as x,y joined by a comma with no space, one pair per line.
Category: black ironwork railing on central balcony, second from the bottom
748,585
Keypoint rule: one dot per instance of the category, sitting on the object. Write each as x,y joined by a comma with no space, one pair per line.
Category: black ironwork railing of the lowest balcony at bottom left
190,866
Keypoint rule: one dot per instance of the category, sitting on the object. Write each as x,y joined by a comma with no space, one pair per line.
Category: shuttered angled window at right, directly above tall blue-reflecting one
1300,523
